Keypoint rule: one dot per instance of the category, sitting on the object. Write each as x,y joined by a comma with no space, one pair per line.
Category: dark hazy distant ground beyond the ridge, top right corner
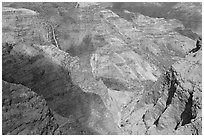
188,13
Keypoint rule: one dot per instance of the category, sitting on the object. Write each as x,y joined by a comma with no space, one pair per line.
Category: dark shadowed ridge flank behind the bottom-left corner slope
54,83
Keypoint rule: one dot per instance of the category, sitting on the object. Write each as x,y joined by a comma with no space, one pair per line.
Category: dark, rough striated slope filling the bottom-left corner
24,112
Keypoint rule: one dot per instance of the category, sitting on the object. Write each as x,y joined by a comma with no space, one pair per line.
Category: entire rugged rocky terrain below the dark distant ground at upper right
97,71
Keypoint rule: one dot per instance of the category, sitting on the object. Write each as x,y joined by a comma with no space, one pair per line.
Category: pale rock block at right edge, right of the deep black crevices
189,74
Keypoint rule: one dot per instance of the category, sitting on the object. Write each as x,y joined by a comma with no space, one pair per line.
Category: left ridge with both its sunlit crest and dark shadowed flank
46,70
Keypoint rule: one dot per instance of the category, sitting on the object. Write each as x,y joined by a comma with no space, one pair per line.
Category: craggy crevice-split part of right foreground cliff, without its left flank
179,108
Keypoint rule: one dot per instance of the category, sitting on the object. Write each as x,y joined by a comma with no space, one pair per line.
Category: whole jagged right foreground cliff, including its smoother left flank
174,104
